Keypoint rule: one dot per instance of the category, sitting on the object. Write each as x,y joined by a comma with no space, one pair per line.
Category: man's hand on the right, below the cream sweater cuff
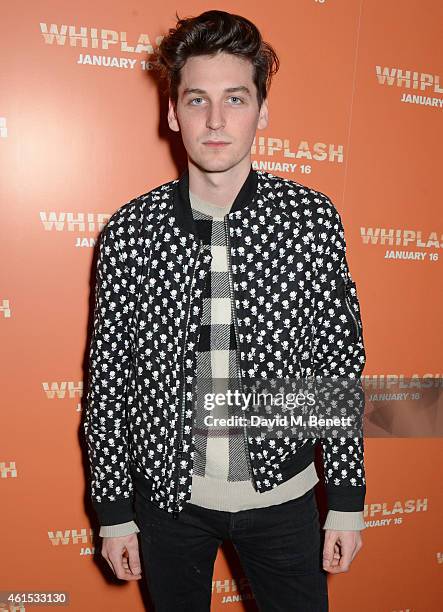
339,550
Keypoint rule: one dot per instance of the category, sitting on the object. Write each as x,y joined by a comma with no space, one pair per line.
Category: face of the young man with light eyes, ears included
211,113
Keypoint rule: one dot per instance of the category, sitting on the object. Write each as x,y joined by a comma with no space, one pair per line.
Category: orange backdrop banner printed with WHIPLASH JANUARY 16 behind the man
356,111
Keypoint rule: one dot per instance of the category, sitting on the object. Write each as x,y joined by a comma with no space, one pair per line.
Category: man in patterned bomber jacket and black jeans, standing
226,274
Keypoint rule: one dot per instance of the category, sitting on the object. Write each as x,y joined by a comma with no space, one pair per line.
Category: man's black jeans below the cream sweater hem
279,549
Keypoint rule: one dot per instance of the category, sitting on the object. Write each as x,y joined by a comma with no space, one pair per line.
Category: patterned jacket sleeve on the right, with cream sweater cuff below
339,359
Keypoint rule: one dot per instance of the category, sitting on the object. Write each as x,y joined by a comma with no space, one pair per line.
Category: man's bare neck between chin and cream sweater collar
218,188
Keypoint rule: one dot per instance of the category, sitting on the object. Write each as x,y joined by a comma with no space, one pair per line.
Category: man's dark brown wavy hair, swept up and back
208,34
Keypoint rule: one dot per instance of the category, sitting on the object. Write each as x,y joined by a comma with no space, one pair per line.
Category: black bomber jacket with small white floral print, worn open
297,315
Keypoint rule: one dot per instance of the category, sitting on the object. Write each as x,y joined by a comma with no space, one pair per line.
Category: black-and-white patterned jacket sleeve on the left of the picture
105,424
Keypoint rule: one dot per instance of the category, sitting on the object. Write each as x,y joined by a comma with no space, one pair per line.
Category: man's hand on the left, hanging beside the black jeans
123,557
